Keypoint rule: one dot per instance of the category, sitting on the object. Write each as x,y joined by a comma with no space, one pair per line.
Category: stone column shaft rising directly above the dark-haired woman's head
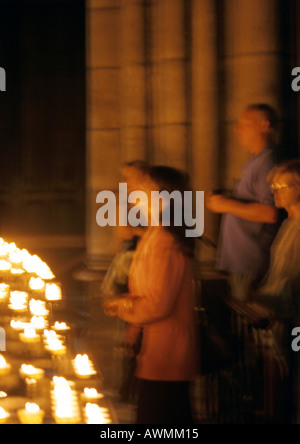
169,82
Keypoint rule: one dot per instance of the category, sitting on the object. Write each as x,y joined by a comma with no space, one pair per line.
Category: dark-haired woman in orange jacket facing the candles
161,301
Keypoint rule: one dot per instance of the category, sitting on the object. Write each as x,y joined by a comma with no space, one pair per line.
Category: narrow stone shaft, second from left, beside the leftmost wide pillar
133,81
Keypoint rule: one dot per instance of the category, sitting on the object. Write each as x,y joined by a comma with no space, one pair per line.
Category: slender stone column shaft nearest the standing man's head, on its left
205,124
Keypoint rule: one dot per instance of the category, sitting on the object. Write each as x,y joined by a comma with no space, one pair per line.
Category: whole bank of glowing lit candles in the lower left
31,309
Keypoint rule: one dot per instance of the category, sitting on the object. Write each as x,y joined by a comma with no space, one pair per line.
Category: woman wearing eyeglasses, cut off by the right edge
277,299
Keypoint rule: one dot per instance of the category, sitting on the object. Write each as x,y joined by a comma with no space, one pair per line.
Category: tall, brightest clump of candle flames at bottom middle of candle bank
64,401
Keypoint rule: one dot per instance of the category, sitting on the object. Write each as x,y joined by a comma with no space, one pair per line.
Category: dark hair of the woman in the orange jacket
171,179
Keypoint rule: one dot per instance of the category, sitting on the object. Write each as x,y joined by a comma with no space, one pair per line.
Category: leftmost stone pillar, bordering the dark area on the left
103,66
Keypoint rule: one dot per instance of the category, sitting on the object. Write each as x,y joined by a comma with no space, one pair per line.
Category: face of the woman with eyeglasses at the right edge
285,192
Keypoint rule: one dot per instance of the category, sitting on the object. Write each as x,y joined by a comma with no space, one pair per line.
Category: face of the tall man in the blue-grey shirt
249,129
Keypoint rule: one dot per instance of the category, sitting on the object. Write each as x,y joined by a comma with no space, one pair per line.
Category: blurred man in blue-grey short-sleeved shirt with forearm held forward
249,218
